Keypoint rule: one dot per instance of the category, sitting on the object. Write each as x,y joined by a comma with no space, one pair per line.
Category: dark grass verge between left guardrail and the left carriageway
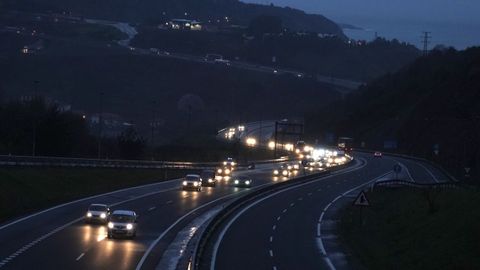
24,190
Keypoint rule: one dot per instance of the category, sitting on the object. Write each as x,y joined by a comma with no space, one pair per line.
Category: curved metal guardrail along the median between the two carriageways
215,222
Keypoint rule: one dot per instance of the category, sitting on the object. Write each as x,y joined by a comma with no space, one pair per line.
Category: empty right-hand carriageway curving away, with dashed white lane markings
287,232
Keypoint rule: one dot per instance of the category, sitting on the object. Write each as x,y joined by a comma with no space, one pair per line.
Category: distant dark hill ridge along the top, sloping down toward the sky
159,11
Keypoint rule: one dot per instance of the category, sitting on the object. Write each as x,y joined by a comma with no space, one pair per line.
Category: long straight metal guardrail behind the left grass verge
8,160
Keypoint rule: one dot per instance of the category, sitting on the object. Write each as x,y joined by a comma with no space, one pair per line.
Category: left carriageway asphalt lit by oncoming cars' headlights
58,238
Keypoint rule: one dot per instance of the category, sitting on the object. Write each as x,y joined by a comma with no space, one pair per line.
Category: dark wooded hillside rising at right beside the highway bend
430,104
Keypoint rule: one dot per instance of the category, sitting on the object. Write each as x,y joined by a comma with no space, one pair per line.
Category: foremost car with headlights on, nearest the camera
122,223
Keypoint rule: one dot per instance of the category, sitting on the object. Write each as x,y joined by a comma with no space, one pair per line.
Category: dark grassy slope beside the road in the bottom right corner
402,230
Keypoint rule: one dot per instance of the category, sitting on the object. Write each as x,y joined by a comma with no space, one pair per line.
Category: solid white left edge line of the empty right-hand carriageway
232,220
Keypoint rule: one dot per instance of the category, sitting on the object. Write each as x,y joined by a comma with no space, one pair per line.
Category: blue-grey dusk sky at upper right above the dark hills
452,22
